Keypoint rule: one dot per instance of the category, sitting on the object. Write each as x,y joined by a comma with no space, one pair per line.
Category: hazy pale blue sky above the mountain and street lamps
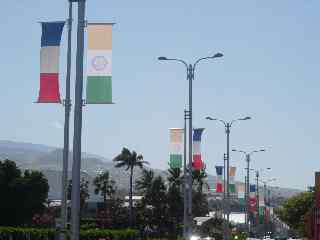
269,72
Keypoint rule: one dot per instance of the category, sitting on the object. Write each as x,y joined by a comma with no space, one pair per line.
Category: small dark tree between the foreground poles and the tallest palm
104,185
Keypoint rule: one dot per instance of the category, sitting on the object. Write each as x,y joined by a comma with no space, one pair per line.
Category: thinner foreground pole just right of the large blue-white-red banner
67,105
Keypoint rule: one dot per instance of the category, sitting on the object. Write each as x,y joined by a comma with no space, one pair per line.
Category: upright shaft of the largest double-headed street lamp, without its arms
190,220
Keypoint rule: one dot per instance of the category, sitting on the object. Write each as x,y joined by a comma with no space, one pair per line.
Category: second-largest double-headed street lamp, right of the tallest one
227,126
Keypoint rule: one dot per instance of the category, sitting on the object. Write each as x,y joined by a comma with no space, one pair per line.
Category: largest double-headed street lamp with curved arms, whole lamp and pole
190,76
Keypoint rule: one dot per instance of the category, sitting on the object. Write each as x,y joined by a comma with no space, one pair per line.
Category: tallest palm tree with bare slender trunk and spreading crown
130,160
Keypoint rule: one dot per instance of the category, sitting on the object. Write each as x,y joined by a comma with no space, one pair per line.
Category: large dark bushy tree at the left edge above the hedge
22,195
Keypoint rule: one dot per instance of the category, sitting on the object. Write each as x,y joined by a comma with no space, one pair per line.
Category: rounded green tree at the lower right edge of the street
295,209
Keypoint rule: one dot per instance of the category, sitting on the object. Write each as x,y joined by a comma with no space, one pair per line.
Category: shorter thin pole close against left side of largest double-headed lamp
185,197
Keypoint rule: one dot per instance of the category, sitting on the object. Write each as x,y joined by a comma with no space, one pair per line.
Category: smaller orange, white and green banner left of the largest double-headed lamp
176,147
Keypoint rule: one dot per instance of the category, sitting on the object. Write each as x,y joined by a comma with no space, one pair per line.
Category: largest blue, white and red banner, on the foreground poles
49,62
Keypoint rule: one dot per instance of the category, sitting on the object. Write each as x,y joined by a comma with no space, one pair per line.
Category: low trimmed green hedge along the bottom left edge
12,233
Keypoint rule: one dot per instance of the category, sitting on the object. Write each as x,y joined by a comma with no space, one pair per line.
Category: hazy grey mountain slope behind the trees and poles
49,160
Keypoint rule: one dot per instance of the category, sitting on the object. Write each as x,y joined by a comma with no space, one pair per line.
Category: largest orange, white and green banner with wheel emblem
99,63
